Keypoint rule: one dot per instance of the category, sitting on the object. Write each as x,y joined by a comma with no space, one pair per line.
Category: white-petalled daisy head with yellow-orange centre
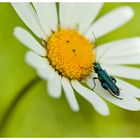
65,55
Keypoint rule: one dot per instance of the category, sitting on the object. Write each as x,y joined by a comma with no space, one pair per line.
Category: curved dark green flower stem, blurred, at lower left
16,100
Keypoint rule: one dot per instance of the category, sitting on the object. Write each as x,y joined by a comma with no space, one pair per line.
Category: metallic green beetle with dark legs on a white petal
107,82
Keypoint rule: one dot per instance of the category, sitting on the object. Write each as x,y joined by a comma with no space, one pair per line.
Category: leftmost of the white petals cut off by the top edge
29,17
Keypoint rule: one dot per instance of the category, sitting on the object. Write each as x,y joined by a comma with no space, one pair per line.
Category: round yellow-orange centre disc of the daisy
70,54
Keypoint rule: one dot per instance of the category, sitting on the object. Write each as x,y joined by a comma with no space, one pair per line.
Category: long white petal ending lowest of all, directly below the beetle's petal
92,97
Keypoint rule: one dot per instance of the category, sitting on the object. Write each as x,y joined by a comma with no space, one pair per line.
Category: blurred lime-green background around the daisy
36,114
